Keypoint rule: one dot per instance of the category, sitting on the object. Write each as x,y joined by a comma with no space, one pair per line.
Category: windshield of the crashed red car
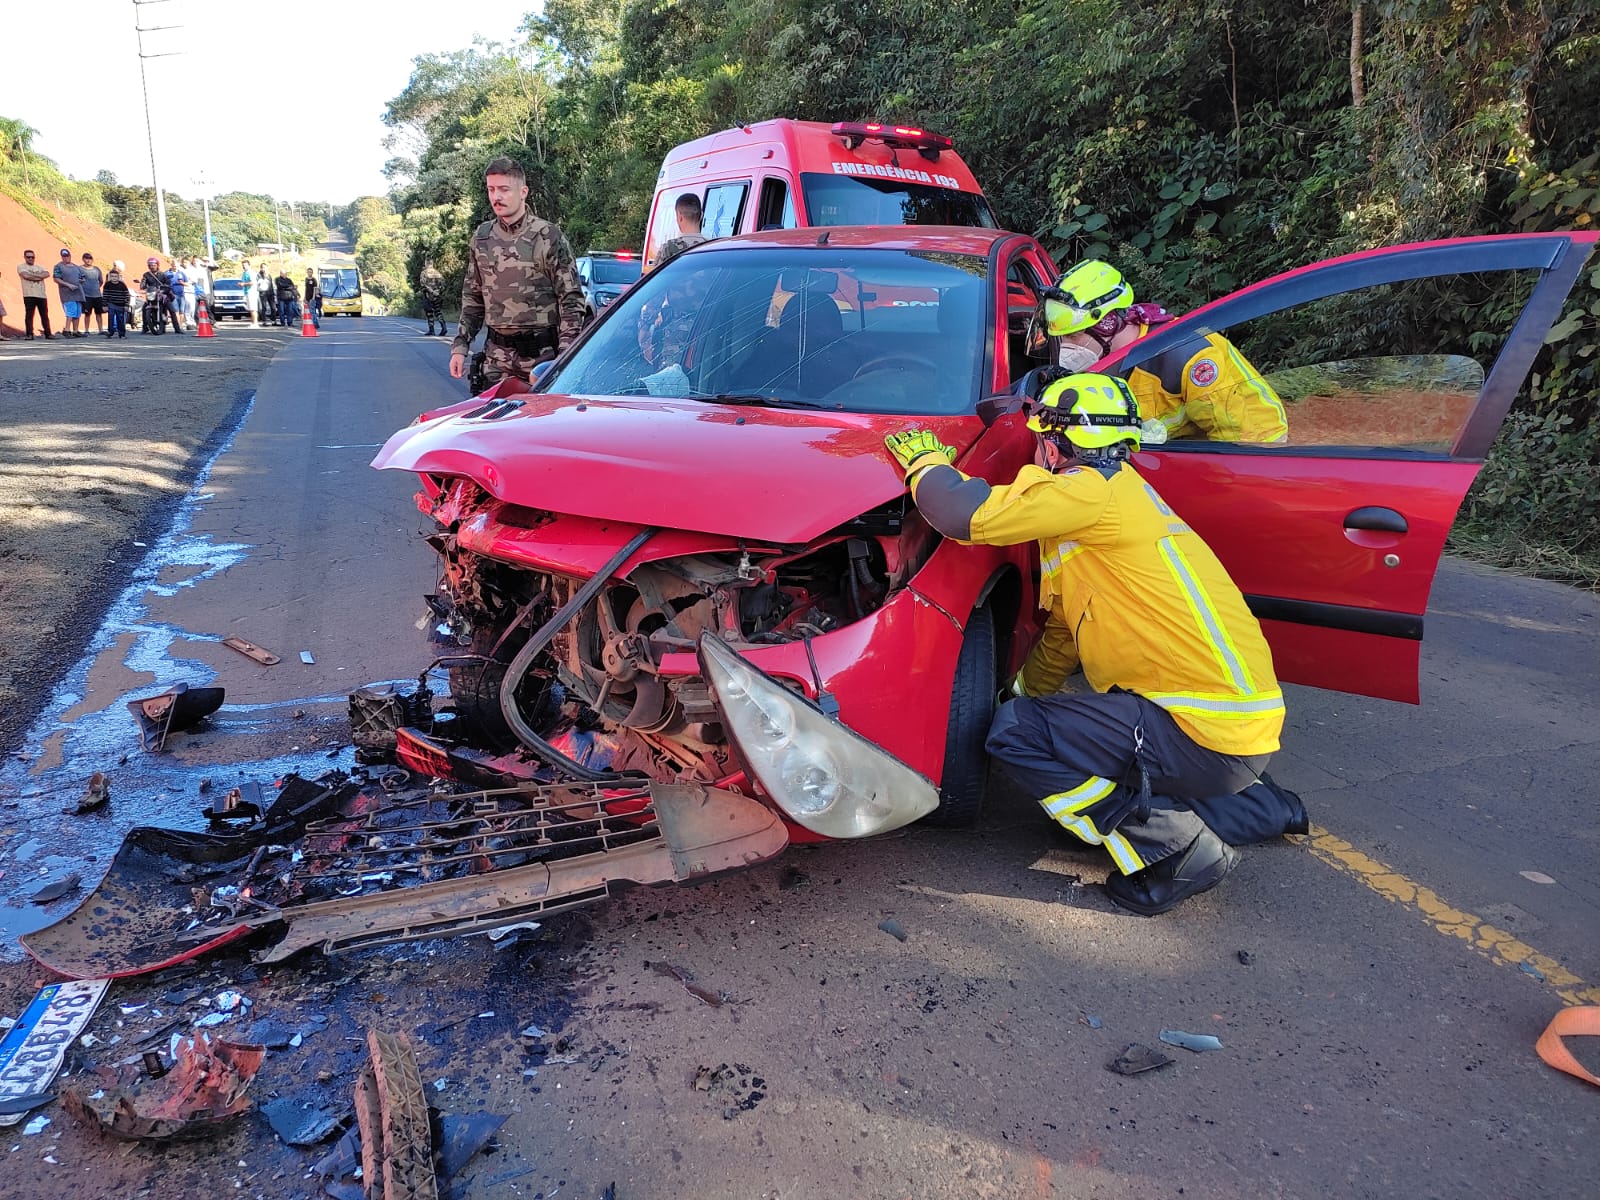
854,330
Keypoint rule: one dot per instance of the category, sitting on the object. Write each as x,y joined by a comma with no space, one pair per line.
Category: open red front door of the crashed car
1393,372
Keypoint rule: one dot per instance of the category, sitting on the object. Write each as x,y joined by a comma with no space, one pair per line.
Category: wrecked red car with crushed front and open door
689,556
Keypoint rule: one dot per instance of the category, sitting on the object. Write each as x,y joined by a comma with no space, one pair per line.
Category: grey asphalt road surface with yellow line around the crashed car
1377,1031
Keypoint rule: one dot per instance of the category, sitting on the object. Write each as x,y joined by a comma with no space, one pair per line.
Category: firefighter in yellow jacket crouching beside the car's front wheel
1162,762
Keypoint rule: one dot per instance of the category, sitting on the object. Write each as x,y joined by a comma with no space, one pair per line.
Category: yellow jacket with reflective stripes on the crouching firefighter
1137,596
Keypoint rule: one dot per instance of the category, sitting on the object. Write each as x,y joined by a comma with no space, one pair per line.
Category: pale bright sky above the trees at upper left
73,73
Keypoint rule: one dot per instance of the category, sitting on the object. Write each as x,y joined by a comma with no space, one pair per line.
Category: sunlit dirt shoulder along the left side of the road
98,439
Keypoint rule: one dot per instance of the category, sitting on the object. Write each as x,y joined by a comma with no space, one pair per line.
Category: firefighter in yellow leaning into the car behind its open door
1199,390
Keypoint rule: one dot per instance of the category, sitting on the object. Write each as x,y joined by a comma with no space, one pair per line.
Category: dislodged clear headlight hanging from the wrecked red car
822,774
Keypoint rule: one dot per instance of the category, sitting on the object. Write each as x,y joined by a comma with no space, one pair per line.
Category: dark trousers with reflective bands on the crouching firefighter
1081,756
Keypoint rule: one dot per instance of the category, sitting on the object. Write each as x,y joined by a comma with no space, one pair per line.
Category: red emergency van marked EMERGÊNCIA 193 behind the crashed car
790,175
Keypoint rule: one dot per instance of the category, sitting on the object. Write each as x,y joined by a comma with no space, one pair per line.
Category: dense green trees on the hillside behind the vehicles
1199,145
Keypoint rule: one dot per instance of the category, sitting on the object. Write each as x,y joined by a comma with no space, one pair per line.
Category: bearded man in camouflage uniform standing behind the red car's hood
522,279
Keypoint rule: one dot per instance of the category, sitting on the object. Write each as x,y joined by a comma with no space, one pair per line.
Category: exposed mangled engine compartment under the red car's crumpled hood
601,679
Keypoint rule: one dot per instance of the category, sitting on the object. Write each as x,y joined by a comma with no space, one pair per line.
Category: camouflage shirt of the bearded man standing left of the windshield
521,279
